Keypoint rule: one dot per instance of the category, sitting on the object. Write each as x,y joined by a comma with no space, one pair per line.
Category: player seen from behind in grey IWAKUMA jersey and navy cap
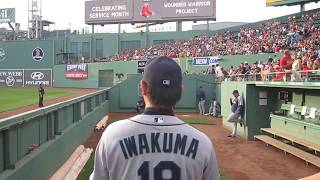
156,145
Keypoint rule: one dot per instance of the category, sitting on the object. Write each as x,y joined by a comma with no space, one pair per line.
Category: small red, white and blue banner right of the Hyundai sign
76,71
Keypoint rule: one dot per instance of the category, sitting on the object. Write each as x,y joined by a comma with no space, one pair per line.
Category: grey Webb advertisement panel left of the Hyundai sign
11,78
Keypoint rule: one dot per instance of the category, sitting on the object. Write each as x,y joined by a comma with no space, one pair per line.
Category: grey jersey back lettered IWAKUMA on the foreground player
154,147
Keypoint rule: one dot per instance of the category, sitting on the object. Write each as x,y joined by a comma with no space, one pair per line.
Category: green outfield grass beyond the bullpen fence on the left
13,98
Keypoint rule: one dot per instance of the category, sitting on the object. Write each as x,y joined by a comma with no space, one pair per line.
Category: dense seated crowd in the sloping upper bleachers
296,33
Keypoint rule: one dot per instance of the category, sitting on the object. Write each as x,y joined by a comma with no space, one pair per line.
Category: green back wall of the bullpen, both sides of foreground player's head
124,96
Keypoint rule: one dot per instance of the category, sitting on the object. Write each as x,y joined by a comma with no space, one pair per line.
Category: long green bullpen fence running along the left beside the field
34,144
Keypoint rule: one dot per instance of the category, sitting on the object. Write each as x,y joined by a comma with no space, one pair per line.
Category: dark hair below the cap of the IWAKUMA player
164,97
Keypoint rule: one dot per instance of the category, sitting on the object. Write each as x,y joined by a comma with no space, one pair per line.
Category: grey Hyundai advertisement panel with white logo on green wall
34,77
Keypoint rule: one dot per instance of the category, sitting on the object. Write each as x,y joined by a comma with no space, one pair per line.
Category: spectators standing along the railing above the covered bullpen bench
300,66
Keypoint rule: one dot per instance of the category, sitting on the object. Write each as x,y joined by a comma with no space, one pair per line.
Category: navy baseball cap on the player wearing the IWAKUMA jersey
162,72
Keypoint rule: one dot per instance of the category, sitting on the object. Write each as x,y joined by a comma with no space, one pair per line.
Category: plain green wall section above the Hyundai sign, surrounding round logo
19,54
